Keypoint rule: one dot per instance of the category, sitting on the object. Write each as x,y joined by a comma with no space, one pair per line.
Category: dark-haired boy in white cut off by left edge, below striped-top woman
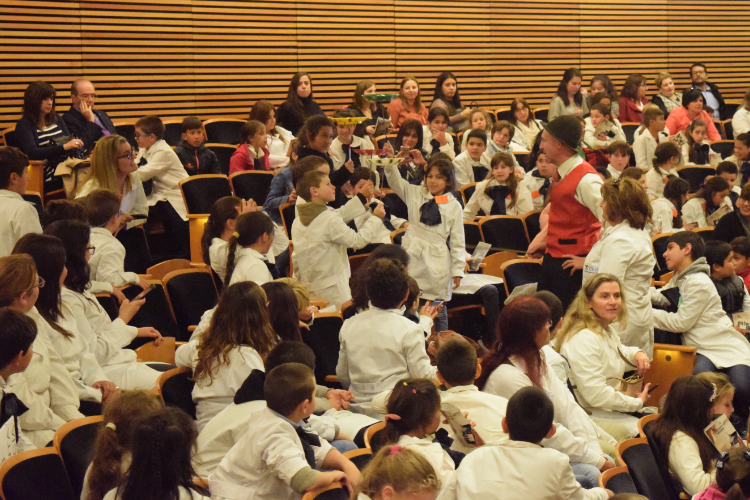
17,216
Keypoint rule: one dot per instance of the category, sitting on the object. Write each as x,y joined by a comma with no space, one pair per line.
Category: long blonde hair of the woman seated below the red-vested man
580,316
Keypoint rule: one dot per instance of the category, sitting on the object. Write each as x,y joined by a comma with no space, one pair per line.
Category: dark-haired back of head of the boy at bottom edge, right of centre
529,415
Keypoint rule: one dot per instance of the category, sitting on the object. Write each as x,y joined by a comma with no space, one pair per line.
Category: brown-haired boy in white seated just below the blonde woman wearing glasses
108,258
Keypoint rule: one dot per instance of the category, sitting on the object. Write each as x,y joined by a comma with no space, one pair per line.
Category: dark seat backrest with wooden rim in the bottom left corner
35,474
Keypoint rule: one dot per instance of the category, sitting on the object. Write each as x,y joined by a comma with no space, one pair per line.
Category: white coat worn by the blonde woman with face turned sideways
596,365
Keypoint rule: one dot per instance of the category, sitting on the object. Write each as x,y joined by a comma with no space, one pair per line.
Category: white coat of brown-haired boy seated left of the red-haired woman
487,410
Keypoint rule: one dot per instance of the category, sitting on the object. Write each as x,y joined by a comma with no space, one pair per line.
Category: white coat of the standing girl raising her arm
433,263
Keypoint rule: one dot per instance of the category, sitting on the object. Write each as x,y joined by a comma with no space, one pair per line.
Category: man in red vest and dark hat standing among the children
575,209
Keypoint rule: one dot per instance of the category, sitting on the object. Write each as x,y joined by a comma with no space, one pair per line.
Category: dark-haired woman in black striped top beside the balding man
41,134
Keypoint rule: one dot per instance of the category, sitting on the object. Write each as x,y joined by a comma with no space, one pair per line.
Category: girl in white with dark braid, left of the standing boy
248,246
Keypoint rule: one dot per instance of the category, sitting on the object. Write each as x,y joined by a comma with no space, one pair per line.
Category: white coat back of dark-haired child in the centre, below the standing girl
378,348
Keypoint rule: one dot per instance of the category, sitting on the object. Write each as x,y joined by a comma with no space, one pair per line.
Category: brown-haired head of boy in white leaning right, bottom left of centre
287,386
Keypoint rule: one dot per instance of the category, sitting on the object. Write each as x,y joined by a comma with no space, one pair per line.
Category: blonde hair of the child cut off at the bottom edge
404,470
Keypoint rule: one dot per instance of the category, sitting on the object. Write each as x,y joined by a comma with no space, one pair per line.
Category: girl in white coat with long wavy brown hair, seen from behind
239,338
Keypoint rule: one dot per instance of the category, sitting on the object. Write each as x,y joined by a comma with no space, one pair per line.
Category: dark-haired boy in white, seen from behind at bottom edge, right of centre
521,465
